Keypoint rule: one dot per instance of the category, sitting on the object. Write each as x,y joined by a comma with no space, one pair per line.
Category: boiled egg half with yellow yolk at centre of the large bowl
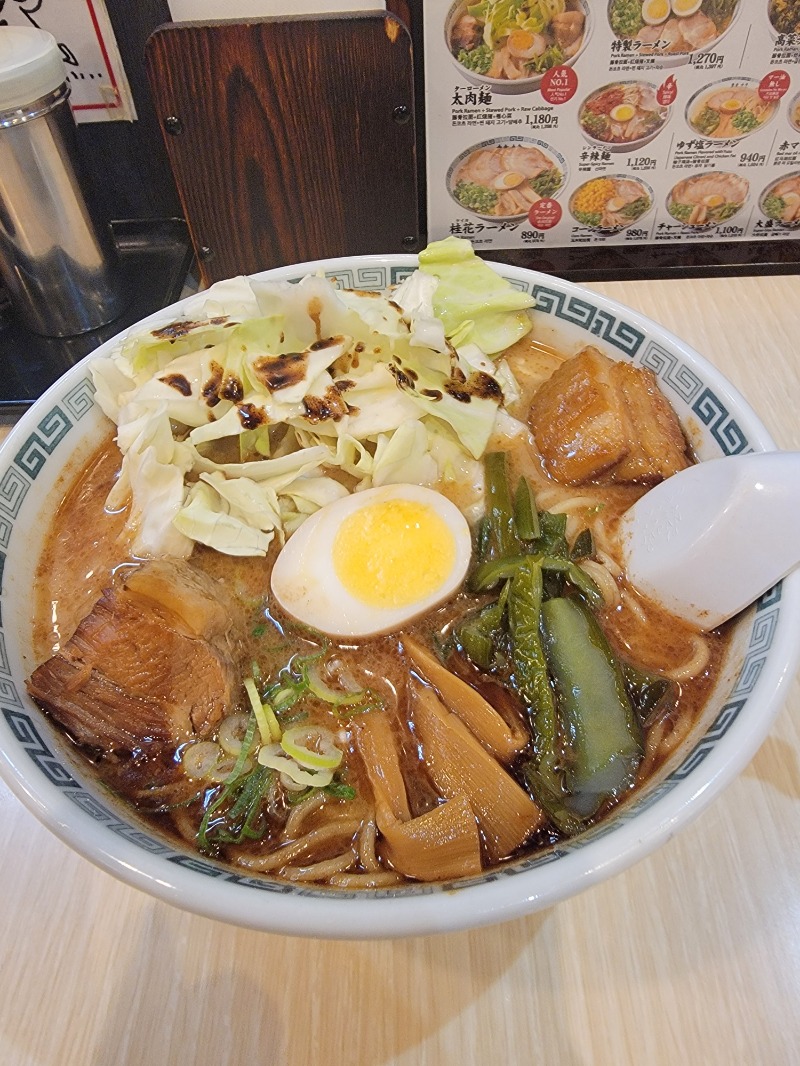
373,561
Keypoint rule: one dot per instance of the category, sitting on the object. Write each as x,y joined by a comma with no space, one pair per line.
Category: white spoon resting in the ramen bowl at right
709,541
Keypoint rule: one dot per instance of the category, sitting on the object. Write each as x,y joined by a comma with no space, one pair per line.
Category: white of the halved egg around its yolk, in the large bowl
305,579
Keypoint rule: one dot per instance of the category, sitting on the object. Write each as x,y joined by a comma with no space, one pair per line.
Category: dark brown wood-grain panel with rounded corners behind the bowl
295,139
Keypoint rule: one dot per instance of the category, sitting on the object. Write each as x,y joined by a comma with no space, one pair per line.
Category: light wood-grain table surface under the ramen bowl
693,957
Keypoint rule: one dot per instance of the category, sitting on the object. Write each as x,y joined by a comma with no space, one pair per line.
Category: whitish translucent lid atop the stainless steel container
30,67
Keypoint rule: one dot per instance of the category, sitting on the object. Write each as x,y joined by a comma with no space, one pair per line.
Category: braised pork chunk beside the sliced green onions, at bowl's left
150,664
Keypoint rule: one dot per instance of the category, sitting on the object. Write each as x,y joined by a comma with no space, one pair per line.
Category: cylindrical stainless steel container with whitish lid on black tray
58,261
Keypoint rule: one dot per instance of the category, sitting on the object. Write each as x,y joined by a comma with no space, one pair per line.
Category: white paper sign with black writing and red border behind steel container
99,87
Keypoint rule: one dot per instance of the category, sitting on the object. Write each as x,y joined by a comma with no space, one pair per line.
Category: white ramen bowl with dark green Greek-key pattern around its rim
42,769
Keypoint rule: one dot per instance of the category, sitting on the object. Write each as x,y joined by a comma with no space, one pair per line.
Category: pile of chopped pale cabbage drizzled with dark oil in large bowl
268,400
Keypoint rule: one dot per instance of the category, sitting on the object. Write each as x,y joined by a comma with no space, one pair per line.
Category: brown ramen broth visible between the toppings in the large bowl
332,838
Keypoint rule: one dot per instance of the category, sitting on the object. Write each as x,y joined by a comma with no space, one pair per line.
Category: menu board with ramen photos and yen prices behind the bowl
568,123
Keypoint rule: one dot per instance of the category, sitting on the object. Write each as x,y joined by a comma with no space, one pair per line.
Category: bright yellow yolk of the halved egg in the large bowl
393,554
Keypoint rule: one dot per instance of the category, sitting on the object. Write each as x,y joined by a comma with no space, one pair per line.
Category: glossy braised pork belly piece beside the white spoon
599,421
